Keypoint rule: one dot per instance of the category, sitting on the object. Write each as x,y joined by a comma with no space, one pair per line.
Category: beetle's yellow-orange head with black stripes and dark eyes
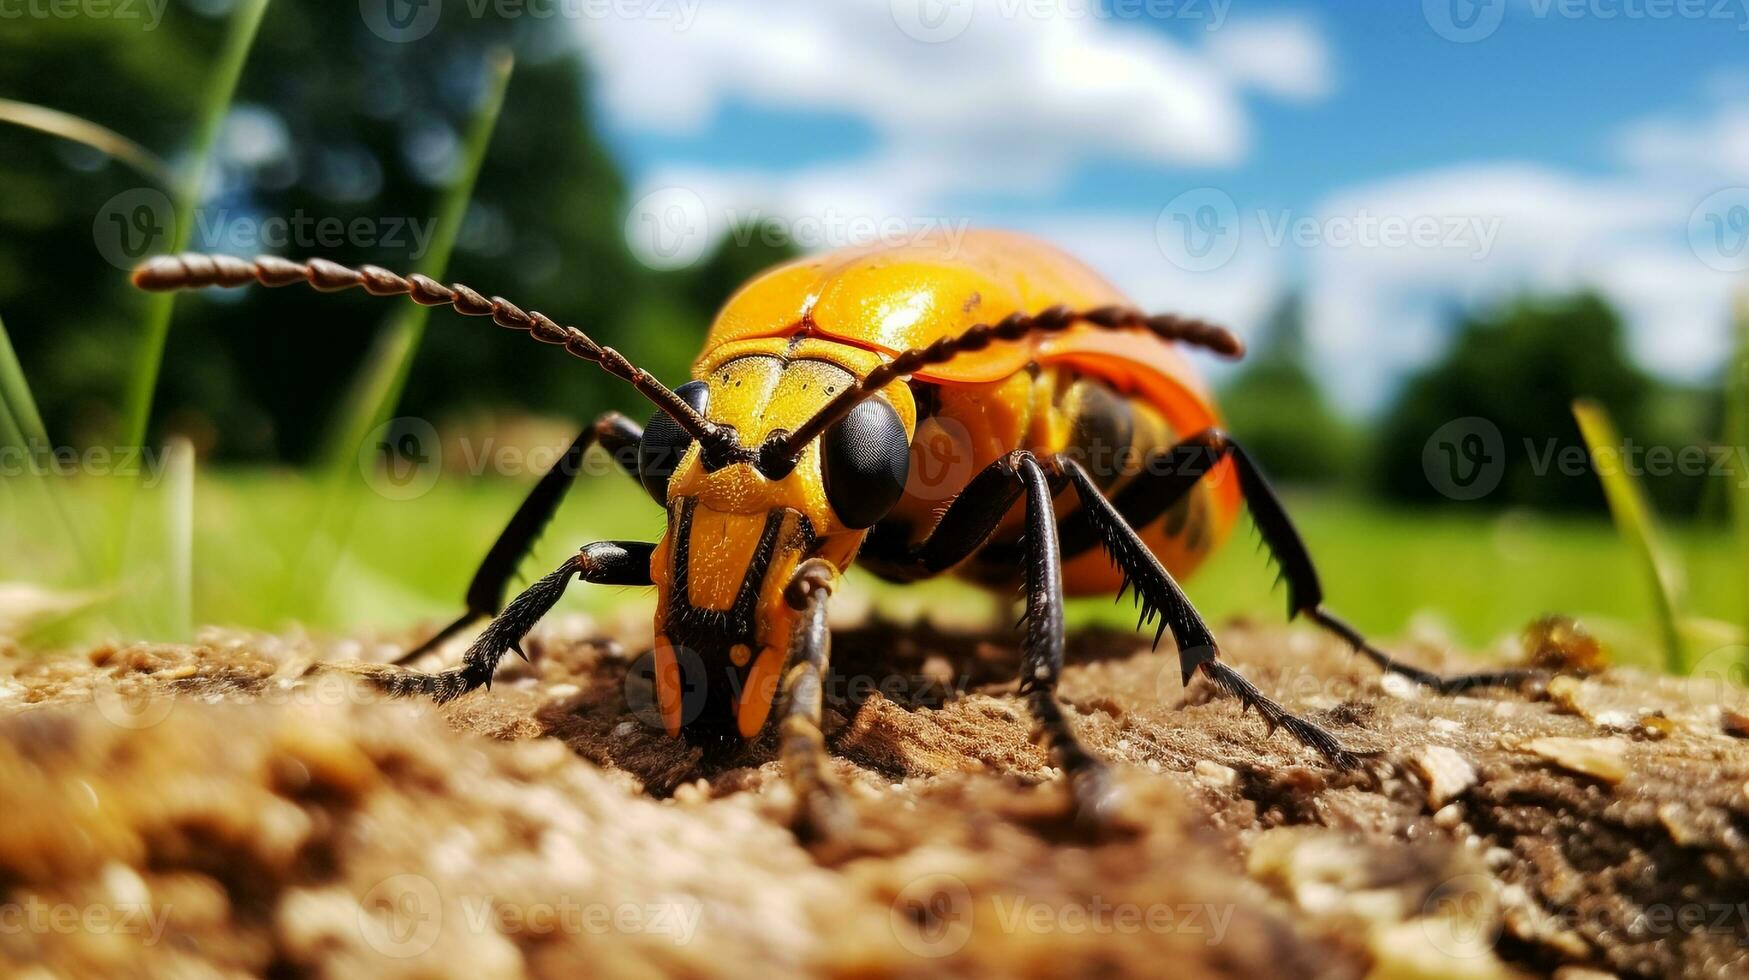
737,529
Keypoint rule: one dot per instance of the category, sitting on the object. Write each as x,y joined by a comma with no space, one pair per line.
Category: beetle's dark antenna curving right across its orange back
781,451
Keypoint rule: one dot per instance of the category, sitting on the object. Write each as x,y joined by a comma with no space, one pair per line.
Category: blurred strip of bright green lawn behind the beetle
1474,575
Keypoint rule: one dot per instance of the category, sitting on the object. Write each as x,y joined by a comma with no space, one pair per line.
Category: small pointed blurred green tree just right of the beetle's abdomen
1276,407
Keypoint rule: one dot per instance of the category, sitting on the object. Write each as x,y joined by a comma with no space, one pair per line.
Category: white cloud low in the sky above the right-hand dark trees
1376,312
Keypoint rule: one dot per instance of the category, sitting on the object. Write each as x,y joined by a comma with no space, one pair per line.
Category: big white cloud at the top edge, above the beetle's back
1010,90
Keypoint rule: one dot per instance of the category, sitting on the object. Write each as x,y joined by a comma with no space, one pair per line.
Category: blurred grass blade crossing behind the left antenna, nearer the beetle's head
375,393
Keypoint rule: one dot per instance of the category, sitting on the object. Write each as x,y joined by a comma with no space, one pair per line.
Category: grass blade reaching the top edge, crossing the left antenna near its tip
160,307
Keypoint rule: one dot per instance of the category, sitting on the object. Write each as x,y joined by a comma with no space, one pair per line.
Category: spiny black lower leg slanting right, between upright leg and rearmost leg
1160,596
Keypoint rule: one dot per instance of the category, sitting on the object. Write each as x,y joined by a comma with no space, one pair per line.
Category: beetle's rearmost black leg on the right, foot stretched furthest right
1171,475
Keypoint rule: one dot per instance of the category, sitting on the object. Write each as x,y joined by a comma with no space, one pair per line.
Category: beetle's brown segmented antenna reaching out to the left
192,270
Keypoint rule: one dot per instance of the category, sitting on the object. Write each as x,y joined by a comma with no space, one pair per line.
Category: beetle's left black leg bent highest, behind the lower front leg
485,596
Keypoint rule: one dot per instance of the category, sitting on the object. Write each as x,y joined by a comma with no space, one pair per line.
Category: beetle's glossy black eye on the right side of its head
865,461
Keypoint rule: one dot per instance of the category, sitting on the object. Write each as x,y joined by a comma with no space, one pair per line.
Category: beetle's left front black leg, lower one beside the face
604,563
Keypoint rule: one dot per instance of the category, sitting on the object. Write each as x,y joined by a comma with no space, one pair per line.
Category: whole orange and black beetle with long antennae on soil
1096,465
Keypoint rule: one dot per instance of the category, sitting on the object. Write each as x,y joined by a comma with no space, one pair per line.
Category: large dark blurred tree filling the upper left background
344,141
